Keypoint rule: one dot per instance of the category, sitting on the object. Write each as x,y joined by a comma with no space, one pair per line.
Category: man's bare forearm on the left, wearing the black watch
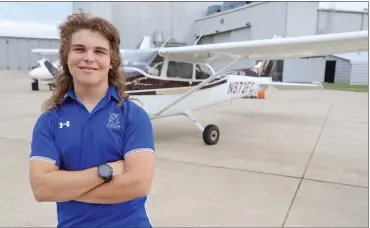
60,185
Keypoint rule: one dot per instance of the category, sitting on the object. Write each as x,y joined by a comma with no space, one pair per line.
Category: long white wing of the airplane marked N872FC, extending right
271,49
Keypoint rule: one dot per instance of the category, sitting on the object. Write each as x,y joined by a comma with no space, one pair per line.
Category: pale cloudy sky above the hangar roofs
40,18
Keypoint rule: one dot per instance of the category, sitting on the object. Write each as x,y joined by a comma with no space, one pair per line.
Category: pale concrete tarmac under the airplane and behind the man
297,158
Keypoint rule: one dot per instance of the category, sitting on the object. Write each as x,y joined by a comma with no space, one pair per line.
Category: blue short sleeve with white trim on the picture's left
43,146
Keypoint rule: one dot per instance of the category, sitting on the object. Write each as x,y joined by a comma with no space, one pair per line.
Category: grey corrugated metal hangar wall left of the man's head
16,53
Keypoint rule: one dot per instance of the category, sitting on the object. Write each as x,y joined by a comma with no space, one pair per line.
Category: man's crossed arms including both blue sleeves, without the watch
132,177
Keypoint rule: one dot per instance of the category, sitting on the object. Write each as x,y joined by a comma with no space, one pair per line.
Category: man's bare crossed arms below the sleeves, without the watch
131,179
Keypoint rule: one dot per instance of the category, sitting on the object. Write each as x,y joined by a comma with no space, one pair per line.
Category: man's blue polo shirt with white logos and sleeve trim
74,139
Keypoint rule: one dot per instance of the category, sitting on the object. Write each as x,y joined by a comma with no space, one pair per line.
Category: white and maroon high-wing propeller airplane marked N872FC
171,81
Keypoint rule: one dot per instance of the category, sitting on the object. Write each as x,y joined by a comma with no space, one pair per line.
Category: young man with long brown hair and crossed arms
92,148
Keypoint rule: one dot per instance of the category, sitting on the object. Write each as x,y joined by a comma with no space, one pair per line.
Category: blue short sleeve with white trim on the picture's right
138,136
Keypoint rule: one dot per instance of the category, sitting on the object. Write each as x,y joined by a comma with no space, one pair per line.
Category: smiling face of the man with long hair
89,58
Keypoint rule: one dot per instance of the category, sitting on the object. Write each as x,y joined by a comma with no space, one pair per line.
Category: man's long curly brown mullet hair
64,80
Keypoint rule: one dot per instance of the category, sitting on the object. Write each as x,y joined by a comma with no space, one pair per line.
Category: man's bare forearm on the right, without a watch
120,189
